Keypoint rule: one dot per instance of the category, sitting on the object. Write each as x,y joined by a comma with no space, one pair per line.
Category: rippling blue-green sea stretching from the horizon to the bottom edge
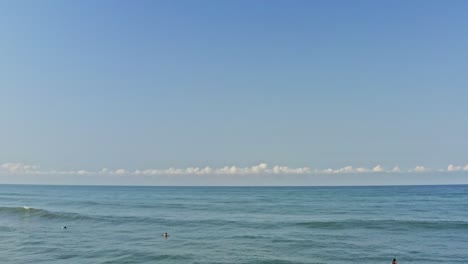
336,225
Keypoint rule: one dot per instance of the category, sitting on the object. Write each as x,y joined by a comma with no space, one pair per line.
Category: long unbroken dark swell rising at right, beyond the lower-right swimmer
385,224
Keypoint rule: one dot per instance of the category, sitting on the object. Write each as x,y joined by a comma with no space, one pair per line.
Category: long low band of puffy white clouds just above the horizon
259,169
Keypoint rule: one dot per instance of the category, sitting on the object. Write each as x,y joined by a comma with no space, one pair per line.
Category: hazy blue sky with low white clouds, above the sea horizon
233,92
